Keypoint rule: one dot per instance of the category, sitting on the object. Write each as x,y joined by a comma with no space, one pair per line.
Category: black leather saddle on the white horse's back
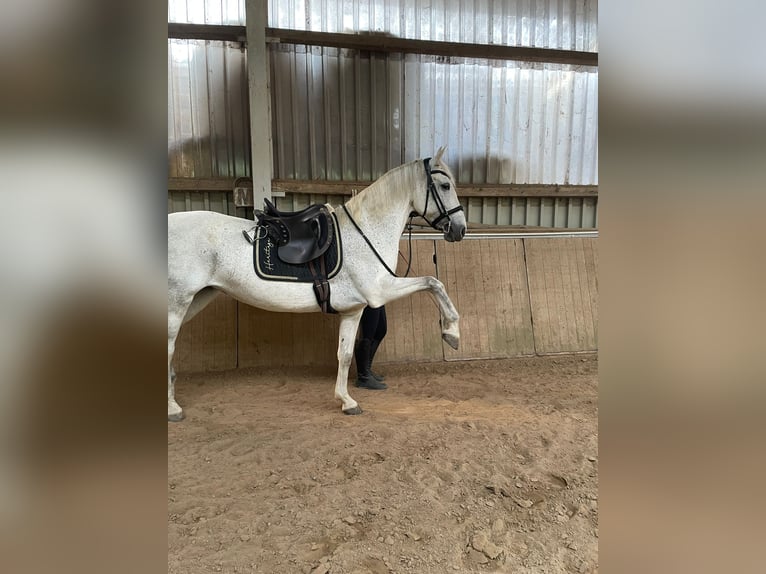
301,236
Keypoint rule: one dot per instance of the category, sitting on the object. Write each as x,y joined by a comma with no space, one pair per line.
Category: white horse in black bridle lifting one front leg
207,254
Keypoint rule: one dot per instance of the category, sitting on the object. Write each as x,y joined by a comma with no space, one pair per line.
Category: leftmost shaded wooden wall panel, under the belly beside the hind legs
209,341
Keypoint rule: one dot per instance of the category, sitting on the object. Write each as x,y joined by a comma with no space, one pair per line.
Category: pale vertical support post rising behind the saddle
260,99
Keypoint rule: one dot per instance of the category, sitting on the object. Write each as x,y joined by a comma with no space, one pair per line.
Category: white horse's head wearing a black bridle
439,206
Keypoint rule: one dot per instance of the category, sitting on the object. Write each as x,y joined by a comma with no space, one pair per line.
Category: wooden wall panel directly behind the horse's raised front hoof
486,280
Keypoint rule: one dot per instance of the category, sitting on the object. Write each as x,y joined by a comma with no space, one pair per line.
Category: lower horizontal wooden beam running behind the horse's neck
324,187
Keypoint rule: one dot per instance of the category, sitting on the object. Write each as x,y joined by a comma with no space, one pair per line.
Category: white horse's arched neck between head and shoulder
386,204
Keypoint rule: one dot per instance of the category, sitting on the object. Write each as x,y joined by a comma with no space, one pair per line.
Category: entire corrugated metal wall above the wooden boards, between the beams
339,114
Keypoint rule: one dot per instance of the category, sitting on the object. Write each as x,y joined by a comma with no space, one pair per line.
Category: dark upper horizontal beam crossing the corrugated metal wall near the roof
382,43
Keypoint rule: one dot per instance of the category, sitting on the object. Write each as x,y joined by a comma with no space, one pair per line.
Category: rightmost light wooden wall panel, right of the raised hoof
564,293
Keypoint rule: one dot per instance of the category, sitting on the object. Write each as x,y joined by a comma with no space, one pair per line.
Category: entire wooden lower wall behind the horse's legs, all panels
516,297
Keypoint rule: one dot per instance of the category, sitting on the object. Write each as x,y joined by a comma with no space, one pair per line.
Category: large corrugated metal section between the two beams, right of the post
345,115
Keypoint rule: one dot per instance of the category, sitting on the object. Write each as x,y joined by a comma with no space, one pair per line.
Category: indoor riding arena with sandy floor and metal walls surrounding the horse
480,459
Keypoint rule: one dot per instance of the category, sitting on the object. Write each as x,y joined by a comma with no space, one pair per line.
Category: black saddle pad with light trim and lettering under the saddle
269,266
